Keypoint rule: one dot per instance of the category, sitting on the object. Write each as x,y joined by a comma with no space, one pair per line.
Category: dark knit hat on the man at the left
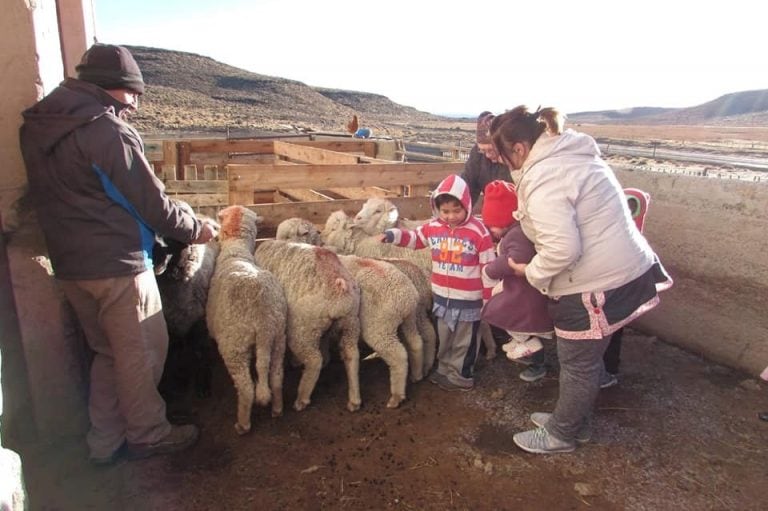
110,67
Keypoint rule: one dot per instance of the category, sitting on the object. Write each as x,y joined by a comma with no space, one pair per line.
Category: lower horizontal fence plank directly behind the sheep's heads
318,212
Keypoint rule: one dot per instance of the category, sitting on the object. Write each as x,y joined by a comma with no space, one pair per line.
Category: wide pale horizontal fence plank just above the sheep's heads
248,177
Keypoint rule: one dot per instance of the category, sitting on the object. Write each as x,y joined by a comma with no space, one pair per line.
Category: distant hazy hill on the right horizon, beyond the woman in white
748,108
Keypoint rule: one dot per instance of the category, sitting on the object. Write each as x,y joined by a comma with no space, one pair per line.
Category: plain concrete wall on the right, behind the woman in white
711,236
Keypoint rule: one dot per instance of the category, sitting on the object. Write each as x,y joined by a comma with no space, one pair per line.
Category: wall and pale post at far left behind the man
44,387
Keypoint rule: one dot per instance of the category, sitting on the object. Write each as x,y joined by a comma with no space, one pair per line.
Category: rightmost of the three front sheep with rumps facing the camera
388,301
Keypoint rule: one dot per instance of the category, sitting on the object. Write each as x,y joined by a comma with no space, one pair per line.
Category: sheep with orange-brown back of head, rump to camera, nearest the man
246,314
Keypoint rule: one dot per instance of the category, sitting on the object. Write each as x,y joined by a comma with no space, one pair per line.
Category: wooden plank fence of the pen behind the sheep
282,179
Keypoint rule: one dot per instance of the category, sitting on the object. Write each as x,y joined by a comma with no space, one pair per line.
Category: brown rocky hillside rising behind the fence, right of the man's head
189,92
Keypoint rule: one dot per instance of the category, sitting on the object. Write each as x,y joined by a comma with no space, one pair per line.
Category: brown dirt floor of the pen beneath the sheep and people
676,433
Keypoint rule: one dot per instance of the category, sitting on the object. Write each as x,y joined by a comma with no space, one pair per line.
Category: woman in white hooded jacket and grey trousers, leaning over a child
591,261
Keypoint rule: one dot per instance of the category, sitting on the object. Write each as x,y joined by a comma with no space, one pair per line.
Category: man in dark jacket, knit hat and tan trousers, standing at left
99,205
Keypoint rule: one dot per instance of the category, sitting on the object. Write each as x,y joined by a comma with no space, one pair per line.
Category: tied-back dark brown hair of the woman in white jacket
522,125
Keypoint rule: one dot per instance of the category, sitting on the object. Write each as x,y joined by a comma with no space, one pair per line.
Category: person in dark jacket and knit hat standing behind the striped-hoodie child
483,166
